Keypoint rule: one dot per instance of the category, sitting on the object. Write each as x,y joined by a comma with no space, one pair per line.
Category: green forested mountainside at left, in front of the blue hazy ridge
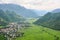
9,16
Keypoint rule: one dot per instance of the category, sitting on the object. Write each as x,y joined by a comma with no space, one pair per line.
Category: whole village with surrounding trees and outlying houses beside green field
13,30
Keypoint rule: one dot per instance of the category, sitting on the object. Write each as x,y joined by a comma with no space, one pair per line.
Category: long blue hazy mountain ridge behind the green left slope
27,13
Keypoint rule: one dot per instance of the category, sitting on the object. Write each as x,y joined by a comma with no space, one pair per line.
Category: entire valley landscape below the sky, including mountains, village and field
20,23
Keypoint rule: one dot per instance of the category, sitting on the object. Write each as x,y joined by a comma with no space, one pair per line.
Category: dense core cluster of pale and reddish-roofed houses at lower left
11,31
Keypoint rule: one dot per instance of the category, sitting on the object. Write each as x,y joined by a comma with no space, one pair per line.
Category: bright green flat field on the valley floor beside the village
39,33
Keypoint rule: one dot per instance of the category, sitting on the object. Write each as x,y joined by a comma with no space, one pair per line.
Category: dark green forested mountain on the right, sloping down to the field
50,20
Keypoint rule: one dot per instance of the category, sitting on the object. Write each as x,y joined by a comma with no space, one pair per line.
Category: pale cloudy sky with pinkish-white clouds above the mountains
36,4
